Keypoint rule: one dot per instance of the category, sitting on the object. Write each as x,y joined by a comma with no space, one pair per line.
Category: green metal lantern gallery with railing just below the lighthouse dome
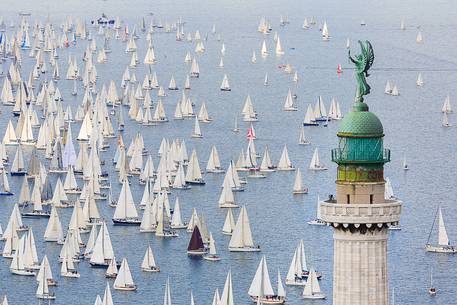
345,156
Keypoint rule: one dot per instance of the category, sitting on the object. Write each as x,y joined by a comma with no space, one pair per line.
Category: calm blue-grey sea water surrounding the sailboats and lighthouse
412,123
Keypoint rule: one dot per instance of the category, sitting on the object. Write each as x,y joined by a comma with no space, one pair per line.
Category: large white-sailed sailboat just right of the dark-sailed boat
241,240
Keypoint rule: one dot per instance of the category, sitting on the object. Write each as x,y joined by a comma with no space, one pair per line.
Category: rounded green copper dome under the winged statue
360,122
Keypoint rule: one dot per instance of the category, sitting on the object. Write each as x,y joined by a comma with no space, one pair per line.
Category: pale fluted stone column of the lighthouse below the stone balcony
360,266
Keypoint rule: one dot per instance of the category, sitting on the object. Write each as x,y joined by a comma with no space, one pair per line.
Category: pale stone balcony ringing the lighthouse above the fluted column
387,212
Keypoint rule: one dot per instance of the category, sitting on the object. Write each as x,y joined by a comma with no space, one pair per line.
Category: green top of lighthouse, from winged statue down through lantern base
361,154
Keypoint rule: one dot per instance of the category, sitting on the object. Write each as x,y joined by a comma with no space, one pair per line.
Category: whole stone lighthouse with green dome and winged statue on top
359,213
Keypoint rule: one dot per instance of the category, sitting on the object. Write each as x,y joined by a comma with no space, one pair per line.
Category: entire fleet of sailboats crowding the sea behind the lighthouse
82,181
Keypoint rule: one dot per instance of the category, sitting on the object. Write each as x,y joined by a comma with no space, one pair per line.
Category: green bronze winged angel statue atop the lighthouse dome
363,63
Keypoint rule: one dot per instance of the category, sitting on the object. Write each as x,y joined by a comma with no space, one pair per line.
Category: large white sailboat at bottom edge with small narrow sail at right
261,290
